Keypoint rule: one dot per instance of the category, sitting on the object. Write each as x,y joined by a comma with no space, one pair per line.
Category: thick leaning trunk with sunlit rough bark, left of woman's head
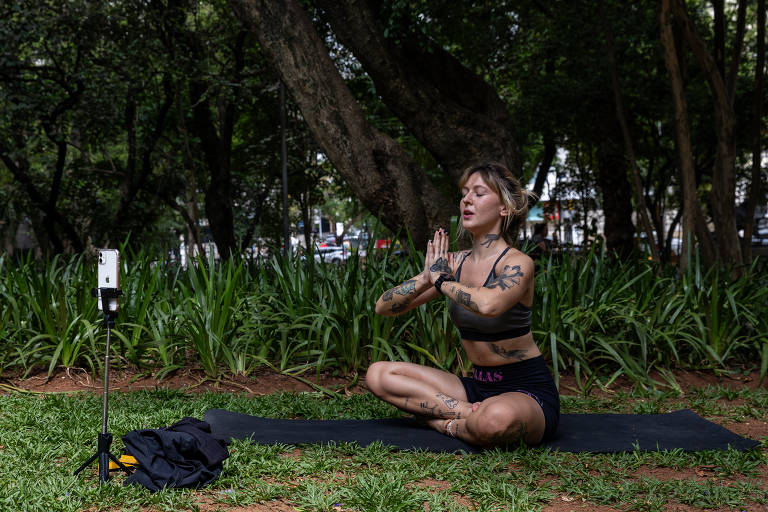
379,171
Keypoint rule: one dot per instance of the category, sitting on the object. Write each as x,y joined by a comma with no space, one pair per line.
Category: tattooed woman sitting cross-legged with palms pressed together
511,395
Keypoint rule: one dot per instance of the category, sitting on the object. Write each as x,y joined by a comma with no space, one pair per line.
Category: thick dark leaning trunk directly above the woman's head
458,117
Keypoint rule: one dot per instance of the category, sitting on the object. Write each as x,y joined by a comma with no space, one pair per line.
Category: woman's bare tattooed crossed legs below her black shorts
440,397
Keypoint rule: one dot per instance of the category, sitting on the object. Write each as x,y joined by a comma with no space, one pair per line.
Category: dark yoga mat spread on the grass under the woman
596,433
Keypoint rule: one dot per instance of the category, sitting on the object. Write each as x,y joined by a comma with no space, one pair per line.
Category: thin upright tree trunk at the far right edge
755,193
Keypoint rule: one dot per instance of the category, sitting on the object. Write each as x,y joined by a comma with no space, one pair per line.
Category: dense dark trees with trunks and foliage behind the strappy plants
150,120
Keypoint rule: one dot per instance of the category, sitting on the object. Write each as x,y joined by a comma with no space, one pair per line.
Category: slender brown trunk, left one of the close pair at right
691,208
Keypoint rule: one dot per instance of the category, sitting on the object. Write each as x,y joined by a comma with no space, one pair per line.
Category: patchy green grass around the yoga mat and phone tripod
43,438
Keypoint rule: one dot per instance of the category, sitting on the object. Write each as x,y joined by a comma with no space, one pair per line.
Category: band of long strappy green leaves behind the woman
593,316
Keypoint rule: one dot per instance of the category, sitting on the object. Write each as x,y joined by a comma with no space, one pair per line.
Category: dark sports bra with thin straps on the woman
513,323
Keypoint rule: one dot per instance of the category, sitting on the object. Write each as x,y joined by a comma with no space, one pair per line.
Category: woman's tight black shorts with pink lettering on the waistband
530,376
